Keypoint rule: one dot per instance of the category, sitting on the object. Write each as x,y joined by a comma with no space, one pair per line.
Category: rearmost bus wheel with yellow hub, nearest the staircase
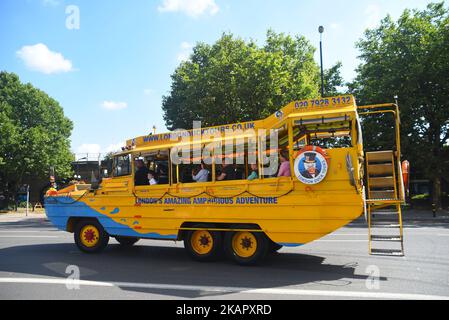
245,247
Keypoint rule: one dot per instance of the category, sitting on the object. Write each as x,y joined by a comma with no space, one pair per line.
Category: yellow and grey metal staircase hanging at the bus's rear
384,200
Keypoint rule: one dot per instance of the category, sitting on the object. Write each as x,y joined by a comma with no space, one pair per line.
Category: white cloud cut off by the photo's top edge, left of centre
193,8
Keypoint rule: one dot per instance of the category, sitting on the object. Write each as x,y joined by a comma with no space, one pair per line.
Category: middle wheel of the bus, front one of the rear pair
203,245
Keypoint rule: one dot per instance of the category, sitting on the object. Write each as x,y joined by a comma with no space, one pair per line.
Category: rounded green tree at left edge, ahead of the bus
34,133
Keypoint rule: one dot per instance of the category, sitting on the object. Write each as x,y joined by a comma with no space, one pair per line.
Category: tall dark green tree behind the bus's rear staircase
410,58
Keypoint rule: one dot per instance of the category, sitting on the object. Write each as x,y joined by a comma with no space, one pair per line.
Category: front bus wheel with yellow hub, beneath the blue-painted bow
90,237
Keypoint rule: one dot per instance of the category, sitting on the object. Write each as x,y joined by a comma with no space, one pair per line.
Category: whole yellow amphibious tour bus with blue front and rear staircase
244,189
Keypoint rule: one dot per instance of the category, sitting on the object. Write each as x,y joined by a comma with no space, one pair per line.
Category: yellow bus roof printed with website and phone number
303,109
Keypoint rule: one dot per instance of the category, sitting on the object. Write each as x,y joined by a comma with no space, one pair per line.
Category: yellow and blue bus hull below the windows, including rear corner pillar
287,211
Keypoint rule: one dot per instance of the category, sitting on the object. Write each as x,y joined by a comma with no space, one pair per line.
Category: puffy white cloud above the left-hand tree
39,58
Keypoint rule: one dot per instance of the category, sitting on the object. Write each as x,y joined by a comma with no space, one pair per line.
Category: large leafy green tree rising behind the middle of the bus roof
233,80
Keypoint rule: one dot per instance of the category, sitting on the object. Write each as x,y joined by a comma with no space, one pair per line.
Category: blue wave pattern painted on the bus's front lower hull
61,209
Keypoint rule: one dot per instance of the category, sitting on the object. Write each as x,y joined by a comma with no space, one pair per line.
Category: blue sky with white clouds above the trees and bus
108,62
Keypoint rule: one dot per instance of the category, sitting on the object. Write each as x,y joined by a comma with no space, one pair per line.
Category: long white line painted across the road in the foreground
272,291
